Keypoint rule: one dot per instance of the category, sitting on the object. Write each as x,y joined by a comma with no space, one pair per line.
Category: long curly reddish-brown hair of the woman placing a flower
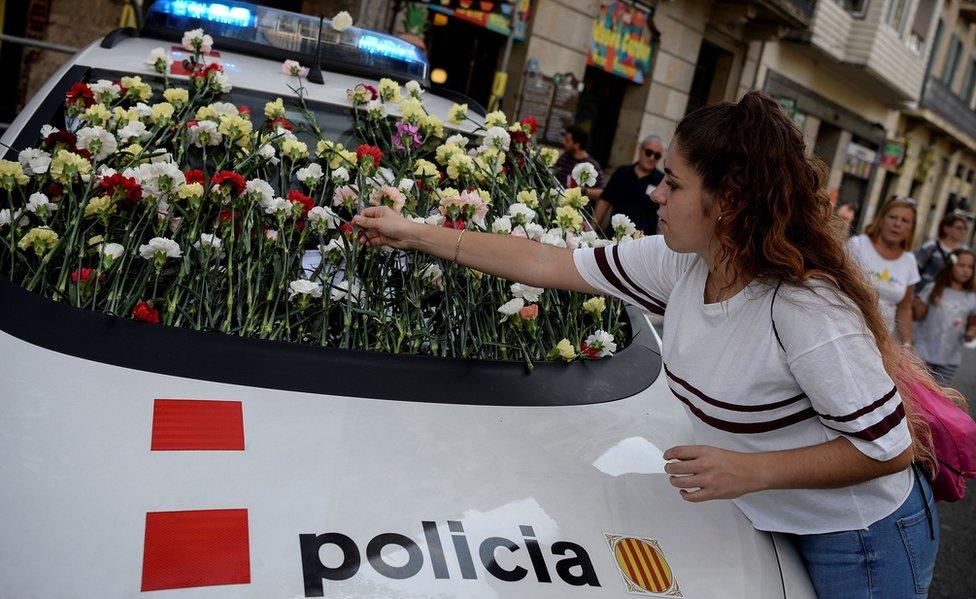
777,223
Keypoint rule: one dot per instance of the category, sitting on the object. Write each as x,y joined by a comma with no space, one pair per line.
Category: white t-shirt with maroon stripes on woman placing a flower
743,392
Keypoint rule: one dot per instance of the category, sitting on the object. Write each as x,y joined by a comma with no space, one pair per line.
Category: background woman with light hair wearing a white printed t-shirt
882,252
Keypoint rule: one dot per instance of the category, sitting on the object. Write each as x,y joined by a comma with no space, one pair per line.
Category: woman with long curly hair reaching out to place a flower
773,341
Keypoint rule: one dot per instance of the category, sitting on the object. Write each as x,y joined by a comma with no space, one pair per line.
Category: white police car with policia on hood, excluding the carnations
164,462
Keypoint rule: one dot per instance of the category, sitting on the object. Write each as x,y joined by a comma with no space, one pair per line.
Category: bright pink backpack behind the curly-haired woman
953,440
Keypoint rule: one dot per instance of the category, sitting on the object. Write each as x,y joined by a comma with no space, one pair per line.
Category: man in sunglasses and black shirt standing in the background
629,190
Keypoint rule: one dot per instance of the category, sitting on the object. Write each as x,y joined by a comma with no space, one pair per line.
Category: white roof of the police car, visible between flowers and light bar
261,74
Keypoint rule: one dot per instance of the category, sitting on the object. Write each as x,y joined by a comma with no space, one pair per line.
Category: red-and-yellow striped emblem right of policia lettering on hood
643,567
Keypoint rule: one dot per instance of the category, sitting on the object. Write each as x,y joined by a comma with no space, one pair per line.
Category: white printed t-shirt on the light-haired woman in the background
890,277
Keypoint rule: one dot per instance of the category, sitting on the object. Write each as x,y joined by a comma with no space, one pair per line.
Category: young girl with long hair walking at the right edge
946,311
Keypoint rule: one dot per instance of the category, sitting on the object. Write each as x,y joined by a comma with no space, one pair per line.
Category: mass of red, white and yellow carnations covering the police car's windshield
156,200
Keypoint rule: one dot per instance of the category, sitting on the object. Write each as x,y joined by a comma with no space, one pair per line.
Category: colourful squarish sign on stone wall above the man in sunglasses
621,41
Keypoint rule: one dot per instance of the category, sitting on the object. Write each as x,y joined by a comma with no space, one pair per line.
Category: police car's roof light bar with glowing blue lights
273,33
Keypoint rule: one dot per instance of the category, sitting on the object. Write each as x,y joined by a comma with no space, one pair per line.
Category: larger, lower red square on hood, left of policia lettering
195,548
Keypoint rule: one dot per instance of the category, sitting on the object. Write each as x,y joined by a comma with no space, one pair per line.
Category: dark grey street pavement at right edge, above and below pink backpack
955,570
